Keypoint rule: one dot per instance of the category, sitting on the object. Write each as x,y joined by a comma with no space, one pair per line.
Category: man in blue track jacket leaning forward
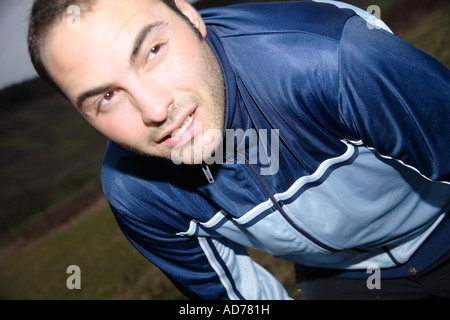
294,128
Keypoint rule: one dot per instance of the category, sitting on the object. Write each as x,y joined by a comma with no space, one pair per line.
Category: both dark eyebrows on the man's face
139,40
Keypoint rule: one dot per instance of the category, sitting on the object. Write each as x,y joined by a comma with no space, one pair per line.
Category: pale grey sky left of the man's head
15,64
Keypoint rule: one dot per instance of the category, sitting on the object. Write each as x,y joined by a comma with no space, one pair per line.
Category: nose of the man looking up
153,103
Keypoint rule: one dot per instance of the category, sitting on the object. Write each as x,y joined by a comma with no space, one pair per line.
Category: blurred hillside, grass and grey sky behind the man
52,210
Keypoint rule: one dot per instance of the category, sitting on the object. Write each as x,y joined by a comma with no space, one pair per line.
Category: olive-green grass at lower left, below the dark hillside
111,268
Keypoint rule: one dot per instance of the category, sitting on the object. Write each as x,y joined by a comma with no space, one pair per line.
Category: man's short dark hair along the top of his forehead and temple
44,15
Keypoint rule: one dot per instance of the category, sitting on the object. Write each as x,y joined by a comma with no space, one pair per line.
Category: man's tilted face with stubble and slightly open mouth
140,75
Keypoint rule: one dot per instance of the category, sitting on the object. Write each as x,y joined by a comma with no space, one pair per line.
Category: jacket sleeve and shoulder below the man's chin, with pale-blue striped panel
150,212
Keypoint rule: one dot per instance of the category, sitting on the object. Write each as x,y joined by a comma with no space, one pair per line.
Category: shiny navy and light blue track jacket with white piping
351,163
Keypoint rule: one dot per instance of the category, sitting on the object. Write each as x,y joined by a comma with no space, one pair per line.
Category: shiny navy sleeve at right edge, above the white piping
395,99
